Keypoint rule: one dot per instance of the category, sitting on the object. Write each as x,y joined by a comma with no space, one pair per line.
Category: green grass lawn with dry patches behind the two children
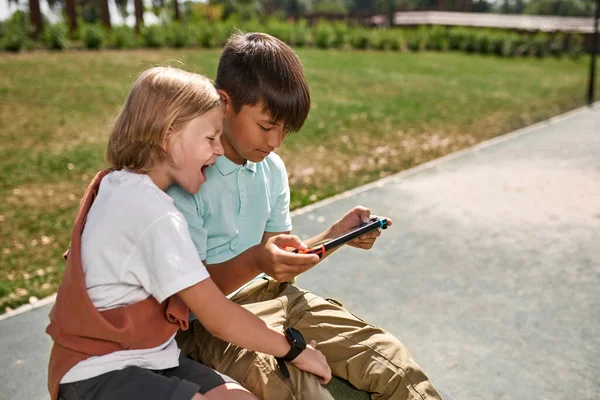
373,114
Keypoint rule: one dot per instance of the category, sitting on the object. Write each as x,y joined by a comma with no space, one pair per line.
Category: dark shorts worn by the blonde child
179,383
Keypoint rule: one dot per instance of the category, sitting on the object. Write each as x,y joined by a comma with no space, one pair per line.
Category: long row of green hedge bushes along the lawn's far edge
15,33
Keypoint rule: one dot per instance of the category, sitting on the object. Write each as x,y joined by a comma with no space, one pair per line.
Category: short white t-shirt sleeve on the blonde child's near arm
170,262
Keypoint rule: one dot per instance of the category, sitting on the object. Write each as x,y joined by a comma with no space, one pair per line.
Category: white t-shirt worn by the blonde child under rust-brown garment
135,244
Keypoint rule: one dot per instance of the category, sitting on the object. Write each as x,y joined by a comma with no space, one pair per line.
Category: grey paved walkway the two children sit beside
490,274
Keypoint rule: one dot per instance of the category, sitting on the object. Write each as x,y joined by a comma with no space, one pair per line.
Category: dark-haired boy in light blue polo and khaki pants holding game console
240,222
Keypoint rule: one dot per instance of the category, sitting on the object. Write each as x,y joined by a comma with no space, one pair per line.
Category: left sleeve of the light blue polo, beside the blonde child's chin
192,208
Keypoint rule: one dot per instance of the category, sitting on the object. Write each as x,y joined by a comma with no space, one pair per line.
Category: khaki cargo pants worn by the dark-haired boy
368,357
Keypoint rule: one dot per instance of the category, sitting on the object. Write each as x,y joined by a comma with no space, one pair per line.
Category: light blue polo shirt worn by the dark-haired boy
236,206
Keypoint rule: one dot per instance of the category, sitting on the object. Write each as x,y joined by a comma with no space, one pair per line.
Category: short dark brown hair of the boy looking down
256,67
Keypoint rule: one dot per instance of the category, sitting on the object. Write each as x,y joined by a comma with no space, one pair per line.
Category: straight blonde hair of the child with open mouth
161,97
